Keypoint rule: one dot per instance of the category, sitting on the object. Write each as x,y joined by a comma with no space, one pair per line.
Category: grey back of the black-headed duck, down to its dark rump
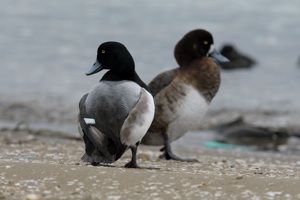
109,103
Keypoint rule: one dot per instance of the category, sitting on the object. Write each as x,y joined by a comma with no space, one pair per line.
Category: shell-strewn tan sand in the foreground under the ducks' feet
50,168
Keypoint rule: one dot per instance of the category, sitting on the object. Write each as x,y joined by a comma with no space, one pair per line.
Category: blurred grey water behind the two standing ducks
46,47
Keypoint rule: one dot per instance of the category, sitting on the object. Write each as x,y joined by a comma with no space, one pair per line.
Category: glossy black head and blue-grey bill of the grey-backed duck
115,57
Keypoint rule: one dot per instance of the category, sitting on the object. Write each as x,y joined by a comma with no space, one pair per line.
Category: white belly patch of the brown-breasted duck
189,114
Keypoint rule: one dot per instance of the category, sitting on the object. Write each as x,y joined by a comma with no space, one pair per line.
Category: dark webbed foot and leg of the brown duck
169,155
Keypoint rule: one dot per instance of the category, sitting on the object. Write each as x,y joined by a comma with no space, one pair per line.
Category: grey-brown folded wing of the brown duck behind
161,81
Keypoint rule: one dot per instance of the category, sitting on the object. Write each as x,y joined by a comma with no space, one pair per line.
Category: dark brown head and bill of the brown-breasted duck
196,44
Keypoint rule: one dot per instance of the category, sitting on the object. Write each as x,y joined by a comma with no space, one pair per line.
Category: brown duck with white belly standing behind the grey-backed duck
182,95
